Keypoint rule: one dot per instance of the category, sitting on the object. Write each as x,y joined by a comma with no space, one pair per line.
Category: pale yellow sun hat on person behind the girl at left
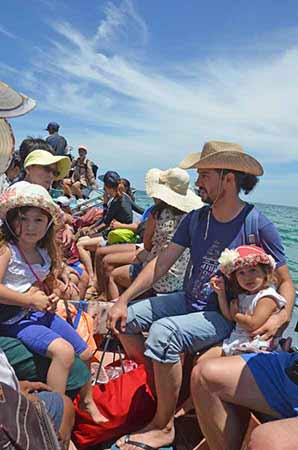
44,158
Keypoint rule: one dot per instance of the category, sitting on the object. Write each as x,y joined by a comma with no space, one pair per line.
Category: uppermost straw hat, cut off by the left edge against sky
13,103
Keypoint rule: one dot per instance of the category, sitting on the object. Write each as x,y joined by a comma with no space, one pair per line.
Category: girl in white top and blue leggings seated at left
28,254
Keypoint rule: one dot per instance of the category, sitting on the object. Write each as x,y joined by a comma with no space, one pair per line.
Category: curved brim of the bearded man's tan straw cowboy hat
232,160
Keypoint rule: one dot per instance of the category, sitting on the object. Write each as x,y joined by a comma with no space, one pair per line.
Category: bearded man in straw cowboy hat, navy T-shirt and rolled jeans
190,320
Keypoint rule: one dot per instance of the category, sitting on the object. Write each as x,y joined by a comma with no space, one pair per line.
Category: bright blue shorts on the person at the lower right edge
268,370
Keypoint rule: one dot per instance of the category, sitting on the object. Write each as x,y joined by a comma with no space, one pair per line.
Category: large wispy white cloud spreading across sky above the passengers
129,109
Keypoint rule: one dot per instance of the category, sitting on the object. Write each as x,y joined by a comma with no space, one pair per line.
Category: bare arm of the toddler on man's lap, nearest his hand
264,309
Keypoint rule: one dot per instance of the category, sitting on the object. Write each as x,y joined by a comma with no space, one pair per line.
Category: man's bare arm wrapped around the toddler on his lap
280,320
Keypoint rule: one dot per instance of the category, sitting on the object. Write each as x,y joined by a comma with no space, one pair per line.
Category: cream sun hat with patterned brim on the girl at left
28,194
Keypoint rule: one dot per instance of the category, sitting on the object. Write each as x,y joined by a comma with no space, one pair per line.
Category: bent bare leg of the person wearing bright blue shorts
218,386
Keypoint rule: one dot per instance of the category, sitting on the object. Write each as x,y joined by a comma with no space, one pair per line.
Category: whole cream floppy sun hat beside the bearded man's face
172,187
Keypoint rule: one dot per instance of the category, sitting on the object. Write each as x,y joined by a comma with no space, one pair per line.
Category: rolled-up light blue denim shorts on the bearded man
175,327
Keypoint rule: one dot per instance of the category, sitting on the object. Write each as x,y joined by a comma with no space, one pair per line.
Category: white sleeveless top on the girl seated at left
19,277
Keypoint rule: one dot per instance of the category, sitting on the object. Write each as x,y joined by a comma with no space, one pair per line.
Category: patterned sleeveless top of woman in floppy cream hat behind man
164,231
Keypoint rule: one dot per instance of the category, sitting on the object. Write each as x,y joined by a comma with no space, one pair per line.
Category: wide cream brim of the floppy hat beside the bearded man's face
155,189
